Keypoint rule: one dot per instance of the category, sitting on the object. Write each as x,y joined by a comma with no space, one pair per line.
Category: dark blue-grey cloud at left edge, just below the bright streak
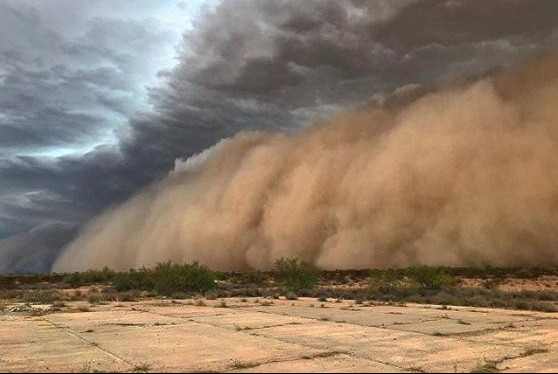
70,189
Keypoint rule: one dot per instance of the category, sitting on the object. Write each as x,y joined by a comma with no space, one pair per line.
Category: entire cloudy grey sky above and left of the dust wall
99,99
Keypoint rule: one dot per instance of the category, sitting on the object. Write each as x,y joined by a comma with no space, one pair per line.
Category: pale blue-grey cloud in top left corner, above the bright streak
66,90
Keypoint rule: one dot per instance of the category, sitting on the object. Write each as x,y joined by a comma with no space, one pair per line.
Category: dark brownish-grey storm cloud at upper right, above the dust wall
291,55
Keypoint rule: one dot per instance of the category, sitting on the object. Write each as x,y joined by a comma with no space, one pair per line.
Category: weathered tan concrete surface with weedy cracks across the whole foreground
277,336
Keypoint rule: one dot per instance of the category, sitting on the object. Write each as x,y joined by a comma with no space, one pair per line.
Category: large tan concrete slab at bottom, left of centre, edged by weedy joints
191,347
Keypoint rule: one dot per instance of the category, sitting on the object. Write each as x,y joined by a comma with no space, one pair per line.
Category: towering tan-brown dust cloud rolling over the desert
464,175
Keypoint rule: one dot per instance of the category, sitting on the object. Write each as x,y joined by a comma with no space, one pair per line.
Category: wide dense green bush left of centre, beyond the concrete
170,279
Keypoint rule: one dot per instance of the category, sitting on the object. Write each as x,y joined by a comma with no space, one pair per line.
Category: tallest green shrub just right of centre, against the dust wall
295,275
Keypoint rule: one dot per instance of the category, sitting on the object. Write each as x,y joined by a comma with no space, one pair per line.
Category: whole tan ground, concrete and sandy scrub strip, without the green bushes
52,326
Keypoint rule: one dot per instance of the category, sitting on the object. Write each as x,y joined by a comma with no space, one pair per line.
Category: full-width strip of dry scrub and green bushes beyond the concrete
479,287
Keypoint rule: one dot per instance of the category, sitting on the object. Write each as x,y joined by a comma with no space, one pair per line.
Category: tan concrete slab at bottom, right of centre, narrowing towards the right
402,349
